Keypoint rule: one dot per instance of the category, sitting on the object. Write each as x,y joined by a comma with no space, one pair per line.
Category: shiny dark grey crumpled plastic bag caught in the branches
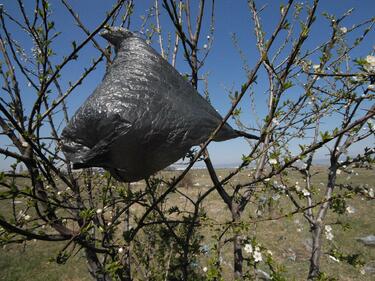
143,116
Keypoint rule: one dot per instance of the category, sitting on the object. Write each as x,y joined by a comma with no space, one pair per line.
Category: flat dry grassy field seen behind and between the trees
287,238
